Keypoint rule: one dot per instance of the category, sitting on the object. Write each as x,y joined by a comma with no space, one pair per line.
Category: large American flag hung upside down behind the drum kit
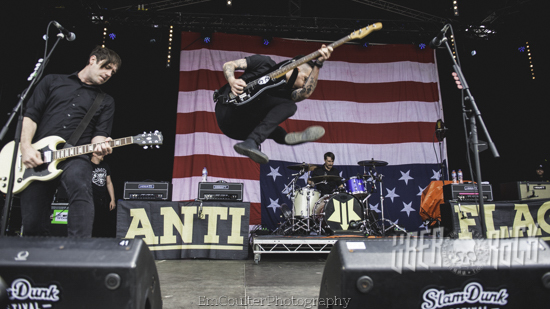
379,102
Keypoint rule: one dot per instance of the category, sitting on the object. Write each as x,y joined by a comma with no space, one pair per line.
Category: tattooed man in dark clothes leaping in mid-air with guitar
259,120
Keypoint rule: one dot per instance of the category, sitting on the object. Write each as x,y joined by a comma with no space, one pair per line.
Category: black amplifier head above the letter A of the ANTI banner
148,190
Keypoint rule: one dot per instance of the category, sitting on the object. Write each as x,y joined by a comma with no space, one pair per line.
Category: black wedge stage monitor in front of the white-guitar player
79,273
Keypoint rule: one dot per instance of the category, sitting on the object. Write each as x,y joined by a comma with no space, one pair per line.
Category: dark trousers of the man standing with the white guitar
37,198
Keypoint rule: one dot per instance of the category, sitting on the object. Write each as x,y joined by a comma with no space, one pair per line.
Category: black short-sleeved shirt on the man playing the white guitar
59,103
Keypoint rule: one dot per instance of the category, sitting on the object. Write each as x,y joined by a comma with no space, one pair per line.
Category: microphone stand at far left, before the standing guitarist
35,76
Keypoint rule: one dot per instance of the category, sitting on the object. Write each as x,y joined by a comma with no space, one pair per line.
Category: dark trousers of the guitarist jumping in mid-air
257,120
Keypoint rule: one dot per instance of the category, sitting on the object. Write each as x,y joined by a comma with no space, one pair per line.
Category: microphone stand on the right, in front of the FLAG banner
474,142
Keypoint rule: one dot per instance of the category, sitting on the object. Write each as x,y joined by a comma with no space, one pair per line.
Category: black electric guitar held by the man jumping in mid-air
275,77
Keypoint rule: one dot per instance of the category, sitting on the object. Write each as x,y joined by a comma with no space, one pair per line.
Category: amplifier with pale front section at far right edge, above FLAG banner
525,190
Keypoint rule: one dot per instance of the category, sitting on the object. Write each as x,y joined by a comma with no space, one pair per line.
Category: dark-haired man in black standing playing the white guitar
56,107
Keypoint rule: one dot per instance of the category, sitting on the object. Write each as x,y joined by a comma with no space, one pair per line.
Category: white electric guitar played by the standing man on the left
52,156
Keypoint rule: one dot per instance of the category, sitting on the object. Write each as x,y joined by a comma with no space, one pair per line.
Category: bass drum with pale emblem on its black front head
341,210
